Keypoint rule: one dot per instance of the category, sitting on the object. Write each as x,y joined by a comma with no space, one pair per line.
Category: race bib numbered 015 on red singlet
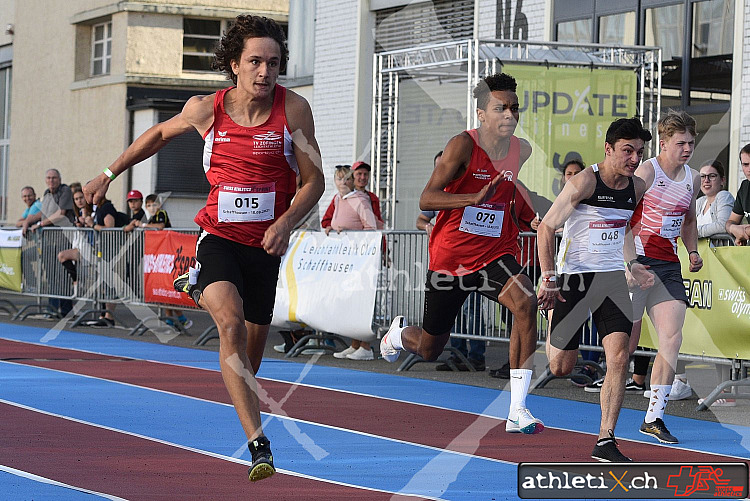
246,203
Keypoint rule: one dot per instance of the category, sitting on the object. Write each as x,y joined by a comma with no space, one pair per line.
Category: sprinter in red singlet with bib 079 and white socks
474,242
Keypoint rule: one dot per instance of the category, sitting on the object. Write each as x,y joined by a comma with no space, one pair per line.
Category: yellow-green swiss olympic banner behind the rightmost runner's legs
717,323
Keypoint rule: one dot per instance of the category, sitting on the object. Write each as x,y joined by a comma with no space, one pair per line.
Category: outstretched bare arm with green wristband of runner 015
196,114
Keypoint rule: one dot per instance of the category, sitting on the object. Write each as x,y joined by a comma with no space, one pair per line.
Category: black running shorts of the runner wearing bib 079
445,294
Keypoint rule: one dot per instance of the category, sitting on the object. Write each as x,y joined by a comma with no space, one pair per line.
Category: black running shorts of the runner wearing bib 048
604,294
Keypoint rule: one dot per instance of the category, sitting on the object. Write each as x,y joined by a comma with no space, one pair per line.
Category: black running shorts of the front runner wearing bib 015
251,269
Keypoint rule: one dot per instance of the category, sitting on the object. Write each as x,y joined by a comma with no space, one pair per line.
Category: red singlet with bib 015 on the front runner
252,172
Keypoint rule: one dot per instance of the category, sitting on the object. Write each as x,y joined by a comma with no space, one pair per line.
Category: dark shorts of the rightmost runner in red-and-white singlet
667,286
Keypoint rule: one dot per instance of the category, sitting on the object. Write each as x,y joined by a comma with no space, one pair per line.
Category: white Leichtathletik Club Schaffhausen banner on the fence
329,282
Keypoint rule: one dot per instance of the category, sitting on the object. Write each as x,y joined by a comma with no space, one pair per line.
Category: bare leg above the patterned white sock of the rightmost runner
668,318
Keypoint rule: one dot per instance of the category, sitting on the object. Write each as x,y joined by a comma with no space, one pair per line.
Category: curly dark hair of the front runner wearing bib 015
233,42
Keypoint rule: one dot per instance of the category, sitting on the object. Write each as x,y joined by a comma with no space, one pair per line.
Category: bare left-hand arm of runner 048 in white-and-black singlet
579,187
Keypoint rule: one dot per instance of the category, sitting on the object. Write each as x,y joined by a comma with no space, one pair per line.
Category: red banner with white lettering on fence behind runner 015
166,256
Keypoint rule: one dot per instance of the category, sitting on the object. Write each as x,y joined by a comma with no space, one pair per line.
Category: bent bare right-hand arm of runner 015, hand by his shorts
306,150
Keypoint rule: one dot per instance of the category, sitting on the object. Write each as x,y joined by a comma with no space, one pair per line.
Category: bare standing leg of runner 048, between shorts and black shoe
613,388
